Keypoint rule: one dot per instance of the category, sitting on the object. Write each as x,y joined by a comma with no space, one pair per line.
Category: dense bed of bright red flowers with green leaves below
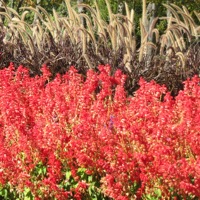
79,137
